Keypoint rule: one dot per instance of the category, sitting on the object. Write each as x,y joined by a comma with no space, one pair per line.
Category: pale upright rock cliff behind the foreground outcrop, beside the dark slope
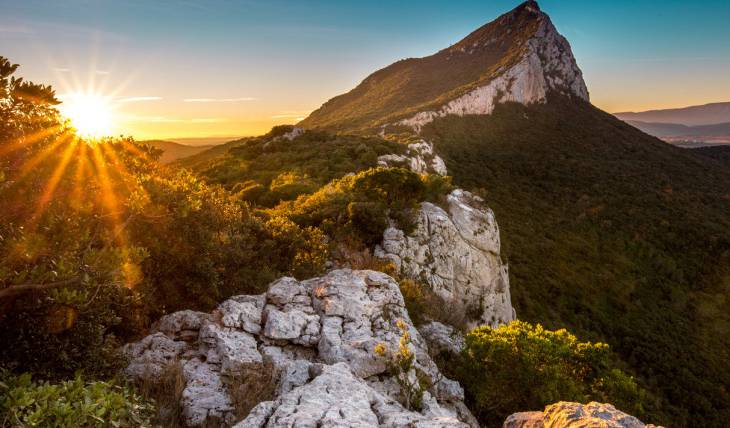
455,252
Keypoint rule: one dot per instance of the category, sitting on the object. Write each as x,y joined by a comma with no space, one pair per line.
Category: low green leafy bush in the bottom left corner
77,403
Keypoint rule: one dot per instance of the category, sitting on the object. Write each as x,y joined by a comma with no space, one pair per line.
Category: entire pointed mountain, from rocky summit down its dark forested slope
608,231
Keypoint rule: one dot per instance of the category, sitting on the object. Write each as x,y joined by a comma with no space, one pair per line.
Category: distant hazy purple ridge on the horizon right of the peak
707,114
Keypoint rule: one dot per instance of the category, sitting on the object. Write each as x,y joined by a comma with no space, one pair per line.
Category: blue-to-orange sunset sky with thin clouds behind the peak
201,68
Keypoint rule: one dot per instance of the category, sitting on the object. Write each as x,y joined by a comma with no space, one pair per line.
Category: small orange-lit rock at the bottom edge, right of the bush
575,415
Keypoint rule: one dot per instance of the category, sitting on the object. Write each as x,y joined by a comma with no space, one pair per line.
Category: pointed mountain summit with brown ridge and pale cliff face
518,57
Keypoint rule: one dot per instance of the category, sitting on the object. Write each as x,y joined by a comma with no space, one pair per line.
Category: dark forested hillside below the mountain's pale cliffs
612,233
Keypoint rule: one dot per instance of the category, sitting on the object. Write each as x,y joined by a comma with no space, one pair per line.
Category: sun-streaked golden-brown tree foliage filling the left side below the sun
97,239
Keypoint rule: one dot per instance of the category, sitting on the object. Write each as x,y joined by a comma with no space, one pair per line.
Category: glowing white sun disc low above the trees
90,114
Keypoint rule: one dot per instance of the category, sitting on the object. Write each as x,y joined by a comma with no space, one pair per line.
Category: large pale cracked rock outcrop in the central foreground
317,338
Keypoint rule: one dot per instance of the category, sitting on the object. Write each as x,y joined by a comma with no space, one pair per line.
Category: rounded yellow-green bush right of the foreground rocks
522,366
